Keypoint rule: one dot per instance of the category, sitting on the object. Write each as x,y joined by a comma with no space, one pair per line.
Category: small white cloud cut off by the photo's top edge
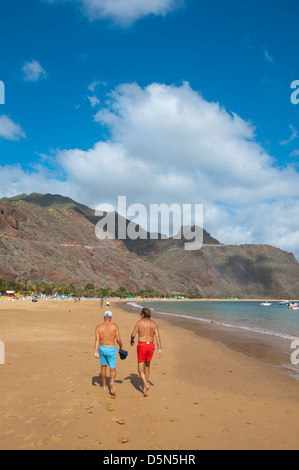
124,12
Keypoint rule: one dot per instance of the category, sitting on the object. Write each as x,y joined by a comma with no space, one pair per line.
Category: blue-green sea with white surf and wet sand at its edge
266,333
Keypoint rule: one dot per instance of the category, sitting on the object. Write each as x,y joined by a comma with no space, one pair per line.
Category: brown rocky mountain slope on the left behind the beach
52,239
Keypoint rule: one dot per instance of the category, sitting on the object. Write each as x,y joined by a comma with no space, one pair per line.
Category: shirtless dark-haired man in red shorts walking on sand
147,330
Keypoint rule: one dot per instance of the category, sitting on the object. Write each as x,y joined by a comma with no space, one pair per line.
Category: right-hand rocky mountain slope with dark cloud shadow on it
237,271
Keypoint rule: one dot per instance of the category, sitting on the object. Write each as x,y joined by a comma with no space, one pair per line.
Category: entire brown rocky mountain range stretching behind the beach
52,238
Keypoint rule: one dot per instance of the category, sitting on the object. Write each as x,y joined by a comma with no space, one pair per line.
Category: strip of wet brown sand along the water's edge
274,351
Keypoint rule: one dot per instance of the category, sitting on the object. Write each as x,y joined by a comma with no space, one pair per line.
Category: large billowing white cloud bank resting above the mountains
167,144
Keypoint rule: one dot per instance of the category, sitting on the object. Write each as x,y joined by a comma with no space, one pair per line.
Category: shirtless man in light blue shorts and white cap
106,335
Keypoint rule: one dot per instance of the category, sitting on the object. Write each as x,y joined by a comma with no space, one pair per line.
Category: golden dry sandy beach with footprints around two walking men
202,395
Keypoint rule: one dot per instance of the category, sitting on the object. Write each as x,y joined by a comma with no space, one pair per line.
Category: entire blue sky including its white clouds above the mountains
163,101
